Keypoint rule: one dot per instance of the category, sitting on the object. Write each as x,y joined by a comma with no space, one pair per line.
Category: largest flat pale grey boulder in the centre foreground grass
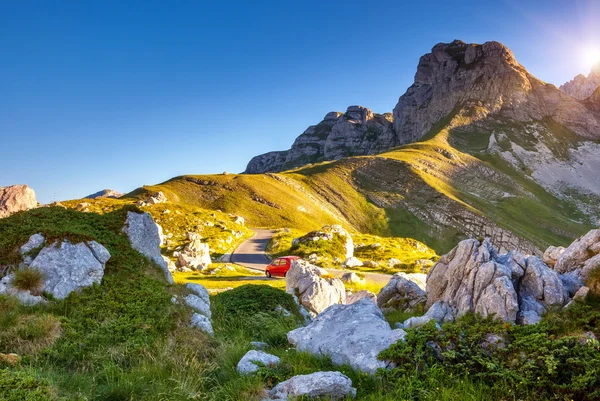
348,334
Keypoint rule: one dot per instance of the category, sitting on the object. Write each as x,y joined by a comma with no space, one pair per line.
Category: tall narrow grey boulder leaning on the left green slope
144,236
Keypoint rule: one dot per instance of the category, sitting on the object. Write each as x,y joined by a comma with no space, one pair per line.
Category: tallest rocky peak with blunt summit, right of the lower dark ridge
478,81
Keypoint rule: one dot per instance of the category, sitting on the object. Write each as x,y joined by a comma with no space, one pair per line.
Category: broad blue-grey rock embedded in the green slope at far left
68,267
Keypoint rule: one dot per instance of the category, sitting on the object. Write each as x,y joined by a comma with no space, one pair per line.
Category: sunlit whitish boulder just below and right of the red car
314,287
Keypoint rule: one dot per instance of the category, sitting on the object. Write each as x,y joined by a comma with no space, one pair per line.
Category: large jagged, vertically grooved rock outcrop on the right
474,277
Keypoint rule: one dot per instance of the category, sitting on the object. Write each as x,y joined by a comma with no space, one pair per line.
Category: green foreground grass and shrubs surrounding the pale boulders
125,339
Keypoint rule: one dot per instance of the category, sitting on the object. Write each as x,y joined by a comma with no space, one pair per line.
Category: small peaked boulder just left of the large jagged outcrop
401,293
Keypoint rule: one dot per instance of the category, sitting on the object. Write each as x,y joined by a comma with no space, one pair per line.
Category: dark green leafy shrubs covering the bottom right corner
548,360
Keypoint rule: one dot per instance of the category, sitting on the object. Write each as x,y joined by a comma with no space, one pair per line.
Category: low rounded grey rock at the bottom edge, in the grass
330,385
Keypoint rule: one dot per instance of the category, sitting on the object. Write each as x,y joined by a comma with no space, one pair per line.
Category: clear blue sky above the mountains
117,94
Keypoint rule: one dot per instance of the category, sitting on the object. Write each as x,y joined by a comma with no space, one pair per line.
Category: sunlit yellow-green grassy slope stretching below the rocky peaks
429,191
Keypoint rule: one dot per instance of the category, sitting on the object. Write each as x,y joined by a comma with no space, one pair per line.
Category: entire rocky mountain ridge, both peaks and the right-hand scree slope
479,100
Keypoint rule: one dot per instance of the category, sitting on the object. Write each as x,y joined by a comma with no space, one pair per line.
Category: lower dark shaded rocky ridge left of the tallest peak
357,132
